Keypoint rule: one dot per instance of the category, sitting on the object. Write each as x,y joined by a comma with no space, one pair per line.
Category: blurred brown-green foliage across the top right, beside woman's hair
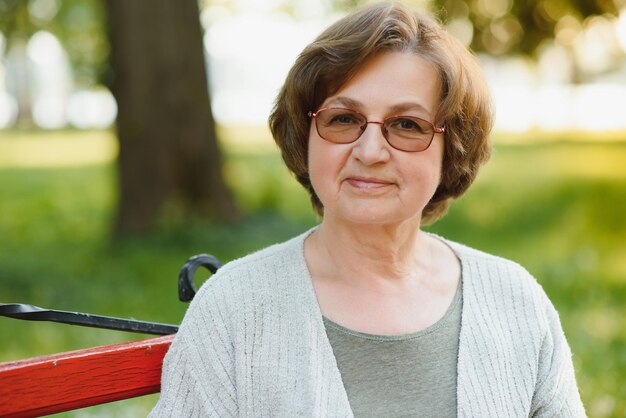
577,37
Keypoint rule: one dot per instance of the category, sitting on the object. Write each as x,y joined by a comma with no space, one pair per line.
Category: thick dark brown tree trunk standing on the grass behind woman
169,159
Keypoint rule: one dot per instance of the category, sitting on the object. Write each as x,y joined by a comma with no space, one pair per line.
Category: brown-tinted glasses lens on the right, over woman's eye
409,133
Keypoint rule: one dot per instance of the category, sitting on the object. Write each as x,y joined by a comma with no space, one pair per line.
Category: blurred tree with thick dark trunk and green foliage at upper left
169,158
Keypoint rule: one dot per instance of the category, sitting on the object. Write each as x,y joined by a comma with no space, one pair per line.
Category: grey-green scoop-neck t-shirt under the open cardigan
407,375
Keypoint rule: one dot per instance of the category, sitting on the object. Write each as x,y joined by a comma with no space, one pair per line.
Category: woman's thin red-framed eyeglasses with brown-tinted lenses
344,126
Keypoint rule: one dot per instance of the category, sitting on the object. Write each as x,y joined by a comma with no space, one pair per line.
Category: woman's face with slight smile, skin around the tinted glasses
368,181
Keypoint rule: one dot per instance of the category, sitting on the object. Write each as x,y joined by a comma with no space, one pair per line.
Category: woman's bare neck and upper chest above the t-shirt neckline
381,279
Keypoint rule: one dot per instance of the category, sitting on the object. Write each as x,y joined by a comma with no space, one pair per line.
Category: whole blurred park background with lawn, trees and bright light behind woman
553,197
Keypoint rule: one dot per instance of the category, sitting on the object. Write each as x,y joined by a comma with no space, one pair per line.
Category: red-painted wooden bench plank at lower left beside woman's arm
77,379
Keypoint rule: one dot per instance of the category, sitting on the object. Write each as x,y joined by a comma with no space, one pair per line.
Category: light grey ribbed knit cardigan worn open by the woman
253,344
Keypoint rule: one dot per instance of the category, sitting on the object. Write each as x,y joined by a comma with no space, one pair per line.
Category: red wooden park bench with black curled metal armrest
77,379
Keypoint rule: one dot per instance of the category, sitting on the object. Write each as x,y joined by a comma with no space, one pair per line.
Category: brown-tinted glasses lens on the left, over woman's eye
339,125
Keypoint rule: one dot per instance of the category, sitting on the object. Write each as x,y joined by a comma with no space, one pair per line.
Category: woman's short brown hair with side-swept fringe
337,54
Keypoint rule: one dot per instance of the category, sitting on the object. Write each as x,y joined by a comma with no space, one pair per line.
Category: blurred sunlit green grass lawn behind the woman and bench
557,208
